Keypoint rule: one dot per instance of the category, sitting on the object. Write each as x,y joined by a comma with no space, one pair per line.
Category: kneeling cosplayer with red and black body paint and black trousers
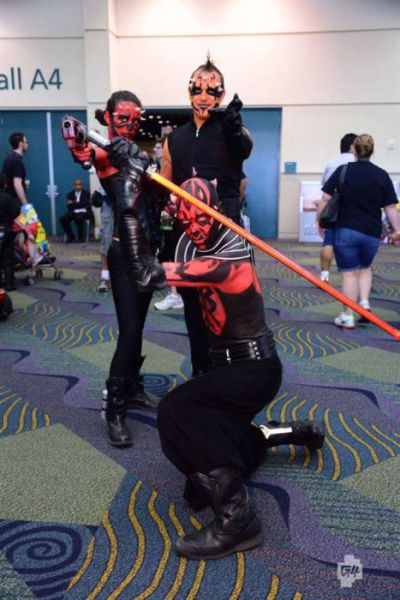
205,425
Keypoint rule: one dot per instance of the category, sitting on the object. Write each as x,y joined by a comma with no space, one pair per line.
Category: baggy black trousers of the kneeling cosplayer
204,423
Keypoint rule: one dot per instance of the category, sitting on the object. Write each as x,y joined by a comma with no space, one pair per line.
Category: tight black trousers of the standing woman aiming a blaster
131,308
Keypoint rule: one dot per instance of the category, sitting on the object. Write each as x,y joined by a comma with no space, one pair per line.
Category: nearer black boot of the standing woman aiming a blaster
118,432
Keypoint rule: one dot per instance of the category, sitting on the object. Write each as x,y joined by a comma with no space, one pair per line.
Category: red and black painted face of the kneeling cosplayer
199,227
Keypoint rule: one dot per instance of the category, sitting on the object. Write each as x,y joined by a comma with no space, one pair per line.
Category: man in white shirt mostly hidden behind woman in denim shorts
347,154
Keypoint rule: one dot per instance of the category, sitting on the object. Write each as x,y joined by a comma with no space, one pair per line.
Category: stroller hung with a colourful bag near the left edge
31,247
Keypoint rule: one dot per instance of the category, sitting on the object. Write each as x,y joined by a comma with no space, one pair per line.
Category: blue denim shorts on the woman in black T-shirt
354,250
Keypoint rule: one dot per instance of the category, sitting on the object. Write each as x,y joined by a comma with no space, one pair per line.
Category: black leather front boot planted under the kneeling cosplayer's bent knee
236,526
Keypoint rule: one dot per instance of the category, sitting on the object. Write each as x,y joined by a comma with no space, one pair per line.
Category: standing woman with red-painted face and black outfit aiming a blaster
134,273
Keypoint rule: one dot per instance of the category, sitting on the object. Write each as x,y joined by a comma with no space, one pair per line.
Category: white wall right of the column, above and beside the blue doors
333,67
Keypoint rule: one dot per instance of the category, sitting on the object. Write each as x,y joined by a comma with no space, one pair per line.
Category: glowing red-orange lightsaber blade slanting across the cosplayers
275,254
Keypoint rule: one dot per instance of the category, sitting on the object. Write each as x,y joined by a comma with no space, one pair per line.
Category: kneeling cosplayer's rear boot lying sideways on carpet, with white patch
300,433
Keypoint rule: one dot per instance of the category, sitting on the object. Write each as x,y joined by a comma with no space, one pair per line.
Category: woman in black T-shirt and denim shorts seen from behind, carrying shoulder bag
356,237
